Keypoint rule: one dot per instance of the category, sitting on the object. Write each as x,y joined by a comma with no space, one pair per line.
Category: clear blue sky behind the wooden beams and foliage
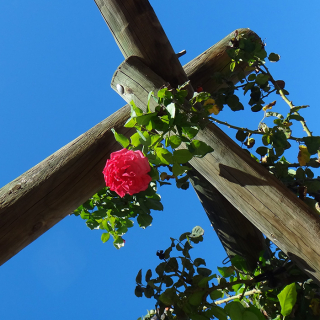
56,63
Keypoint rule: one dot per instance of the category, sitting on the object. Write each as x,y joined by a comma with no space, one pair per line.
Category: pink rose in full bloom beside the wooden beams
127,172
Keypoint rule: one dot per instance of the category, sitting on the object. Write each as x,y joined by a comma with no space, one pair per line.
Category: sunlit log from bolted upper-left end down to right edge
247,185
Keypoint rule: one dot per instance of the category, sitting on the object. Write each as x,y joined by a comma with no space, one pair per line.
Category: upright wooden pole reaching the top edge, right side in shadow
138,32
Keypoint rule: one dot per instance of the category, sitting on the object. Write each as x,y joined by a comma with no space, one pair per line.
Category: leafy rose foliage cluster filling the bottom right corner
186,289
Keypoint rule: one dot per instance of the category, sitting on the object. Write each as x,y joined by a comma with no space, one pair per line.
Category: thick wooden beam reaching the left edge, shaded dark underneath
45,194
